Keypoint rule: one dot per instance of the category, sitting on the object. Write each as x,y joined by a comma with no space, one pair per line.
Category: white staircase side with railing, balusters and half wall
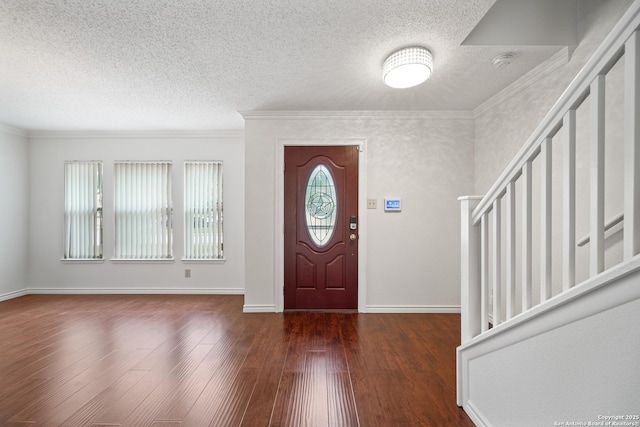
551,320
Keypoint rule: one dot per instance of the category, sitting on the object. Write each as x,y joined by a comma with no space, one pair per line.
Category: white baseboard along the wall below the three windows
140,290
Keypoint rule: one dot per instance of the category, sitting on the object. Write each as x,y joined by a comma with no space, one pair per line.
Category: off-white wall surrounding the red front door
413,261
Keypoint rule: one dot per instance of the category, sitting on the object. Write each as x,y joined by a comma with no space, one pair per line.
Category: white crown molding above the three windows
106,134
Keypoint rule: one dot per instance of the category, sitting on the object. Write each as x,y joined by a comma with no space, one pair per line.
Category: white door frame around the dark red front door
279,213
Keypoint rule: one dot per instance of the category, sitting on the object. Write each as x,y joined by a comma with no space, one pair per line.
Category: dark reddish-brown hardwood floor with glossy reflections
197,360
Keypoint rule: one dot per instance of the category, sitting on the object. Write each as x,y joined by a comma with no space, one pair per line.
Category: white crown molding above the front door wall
355,115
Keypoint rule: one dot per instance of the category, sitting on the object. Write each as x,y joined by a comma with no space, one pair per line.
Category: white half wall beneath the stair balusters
572,360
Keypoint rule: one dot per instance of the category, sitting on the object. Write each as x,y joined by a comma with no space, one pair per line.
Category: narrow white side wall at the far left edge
14,232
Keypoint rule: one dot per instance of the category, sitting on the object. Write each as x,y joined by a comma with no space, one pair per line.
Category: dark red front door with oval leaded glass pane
321,227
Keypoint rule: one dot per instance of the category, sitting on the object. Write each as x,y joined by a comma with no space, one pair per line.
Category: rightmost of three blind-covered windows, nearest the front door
203,210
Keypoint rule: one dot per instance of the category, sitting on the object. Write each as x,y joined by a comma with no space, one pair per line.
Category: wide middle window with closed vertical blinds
143,210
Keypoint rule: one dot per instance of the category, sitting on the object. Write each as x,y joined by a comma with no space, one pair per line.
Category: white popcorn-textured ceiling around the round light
193,64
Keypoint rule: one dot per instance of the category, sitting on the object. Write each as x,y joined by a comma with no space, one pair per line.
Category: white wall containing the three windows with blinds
49,150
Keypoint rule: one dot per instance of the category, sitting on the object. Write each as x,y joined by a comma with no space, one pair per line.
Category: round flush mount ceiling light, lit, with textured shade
407,67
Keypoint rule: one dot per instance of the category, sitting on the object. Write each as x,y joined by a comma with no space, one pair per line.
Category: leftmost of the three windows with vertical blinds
82,210
